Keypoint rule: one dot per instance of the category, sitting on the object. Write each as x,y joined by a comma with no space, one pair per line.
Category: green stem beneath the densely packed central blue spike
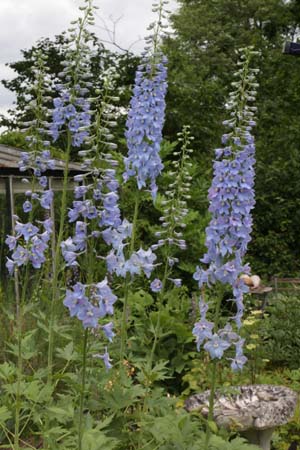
127,282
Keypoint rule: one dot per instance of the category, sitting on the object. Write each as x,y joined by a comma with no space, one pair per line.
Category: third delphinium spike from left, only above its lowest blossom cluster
96,200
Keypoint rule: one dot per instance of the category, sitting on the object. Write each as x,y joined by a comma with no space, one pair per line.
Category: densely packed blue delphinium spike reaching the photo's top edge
147,110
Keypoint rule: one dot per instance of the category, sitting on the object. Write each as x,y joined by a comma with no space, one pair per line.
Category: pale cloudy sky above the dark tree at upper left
23,22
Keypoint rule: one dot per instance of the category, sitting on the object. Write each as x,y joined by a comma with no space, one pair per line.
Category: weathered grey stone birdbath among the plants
253,410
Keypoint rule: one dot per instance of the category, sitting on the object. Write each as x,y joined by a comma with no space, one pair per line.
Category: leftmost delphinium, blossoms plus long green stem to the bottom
29,242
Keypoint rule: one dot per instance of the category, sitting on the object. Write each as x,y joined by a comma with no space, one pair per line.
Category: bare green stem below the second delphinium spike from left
56,264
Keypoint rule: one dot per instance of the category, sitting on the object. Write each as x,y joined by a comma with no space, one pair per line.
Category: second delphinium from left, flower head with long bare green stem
71,118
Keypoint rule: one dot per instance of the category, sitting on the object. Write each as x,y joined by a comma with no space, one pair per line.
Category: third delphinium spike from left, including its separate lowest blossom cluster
94,211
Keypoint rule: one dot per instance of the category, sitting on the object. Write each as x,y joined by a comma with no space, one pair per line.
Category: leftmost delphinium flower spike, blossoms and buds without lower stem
31,240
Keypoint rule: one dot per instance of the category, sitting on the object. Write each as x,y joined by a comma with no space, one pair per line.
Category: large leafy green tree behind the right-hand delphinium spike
201,60
